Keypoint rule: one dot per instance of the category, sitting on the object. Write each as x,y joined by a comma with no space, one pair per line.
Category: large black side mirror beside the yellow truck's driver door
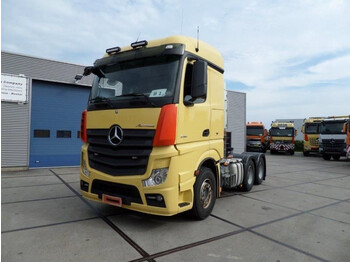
199,79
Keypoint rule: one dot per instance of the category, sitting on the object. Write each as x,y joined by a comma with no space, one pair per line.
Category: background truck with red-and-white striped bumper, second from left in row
282,137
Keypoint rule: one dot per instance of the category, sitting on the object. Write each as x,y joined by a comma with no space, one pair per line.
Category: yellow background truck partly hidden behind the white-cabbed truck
311,131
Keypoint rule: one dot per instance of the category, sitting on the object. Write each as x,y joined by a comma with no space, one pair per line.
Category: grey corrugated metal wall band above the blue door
43,69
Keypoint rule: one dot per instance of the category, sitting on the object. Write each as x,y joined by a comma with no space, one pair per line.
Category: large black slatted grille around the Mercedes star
130,157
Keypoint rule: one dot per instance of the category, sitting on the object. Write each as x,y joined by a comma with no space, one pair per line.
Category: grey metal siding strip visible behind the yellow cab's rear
236,117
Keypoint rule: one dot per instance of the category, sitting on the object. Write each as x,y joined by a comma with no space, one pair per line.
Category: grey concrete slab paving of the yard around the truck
300,213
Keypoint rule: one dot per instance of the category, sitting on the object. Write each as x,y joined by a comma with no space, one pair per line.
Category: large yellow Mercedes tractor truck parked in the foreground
153,130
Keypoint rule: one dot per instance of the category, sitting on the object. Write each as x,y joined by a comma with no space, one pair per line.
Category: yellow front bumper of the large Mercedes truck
164,199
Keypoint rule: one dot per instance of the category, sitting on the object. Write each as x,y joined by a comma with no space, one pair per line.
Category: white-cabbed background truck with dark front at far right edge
332,137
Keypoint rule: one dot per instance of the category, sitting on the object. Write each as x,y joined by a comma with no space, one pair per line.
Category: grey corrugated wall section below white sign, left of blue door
15,126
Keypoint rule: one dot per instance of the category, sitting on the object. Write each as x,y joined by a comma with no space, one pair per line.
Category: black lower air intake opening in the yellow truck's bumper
126,192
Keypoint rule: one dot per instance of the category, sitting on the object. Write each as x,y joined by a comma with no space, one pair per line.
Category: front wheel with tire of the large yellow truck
204,194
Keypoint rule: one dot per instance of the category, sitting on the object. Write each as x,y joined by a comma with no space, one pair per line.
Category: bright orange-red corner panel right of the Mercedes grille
166,127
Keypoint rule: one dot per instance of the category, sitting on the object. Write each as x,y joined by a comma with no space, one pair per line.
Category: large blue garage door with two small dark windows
55,124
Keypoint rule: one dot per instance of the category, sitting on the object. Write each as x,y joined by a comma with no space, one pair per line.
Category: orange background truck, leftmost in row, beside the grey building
256,137
